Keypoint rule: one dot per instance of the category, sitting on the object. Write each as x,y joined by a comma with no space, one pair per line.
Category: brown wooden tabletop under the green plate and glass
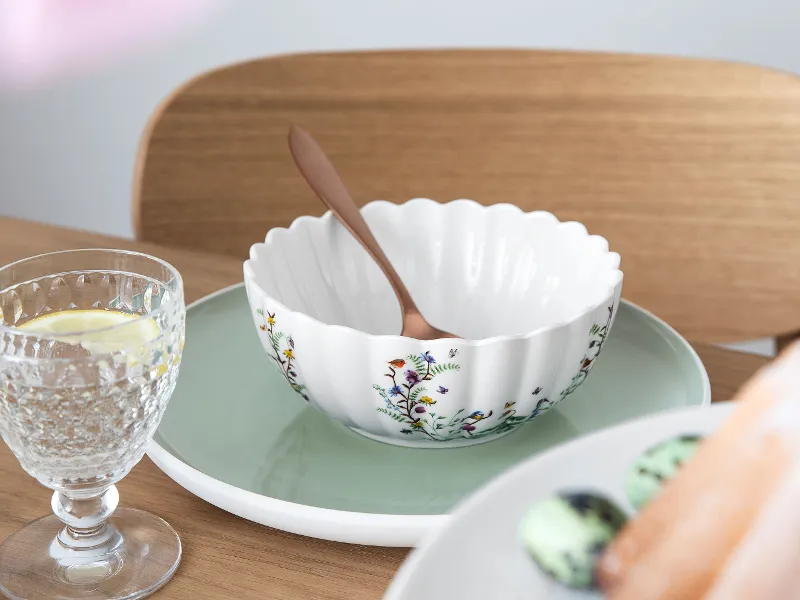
228,557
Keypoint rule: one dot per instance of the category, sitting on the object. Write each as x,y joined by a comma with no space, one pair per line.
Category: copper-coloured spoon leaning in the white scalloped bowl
326,183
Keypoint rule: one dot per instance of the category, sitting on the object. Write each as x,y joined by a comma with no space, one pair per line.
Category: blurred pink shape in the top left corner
45,40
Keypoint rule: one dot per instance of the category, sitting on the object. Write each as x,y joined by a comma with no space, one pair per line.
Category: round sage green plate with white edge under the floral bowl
237,436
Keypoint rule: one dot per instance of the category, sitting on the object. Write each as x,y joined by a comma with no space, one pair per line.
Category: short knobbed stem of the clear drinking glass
85,514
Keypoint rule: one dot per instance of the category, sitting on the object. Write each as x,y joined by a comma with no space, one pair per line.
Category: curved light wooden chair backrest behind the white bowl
689,167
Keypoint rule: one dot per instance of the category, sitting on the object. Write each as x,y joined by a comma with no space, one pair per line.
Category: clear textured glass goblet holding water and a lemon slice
90,347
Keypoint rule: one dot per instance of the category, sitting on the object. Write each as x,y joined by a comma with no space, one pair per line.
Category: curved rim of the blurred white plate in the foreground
404,574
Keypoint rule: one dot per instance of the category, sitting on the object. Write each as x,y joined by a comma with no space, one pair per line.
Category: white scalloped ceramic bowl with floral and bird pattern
534,299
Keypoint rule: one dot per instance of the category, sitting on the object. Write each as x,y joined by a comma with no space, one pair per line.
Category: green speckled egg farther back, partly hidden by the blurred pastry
653,468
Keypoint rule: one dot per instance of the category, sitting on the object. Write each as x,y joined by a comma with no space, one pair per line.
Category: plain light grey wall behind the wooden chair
67,153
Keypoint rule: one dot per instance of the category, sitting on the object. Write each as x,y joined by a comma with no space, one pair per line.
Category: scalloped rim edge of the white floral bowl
250,275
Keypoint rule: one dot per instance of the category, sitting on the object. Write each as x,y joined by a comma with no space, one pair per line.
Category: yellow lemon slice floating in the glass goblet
129,331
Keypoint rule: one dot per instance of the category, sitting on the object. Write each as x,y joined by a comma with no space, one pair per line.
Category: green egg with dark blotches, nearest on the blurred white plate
566,534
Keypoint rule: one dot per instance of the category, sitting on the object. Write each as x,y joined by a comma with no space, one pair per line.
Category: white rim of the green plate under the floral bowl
374,529
